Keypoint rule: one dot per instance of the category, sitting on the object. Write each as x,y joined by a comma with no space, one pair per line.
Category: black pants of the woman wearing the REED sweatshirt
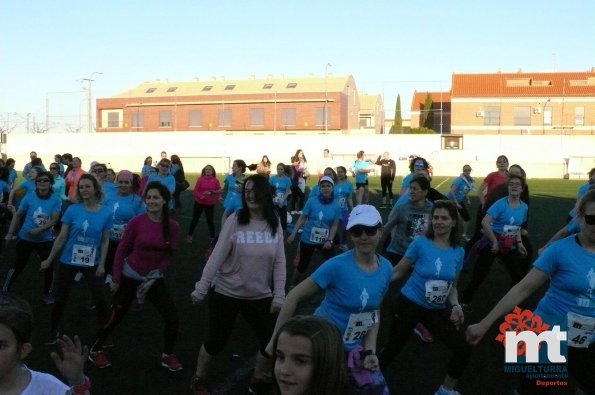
223,311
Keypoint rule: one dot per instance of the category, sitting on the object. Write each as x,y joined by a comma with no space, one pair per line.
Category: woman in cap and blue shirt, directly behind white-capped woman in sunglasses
320,219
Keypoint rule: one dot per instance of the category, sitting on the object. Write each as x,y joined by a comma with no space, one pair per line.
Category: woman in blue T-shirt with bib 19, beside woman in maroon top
82,247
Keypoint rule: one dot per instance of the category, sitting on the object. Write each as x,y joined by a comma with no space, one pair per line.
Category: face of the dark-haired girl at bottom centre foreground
293,364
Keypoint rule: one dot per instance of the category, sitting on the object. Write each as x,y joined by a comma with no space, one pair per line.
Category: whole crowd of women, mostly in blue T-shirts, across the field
120,229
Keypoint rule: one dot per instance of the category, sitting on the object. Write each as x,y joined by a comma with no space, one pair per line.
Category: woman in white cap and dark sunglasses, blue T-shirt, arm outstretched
353,283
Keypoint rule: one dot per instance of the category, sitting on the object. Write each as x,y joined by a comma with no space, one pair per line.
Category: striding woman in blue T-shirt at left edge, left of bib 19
37,214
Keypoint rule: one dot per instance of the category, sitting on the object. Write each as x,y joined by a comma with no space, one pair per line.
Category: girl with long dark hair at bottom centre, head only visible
309,358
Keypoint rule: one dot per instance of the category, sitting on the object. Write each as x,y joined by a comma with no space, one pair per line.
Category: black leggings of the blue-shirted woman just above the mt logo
514,262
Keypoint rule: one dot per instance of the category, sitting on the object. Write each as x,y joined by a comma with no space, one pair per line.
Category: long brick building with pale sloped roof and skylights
269,104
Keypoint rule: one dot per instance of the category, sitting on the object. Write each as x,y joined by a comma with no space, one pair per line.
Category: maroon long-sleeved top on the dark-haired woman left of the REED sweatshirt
143,247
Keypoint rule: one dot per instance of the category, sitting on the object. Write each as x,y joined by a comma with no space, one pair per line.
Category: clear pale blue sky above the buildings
390,47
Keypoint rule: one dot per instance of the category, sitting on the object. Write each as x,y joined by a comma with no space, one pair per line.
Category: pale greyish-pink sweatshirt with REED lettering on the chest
246,259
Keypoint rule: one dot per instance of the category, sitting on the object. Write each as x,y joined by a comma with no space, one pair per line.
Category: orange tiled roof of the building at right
524,84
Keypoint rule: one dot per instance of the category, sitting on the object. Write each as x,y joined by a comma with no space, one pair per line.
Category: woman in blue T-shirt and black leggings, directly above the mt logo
502,238
